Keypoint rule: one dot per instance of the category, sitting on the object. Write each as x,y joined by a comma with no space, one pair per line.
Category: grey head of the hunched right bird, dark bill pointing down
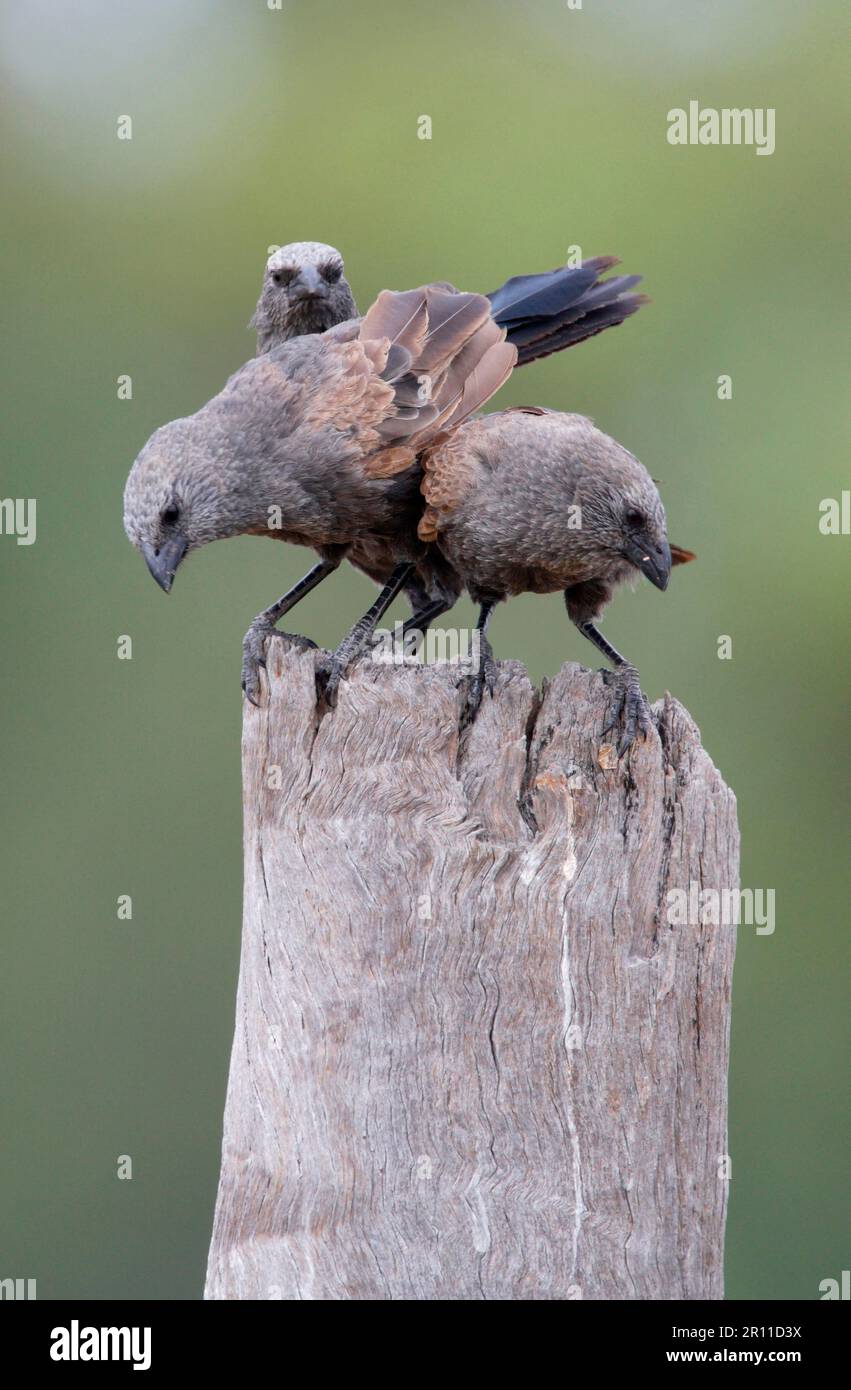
624,514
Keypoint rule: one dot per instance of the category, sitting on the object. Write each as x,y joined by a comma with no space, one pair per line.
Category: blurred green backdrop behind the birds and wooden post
257,127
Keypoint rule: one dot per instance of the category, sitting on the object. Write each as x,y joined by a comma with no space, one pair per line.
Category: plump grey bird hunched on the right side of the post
540,501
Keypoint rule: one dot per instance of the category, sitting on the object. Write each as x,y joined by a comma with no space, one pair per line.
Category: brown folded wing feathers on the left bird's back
444,357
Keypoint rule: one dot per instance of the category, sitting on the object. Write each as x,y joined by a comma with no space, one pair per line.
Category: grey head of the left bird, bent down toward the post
175,501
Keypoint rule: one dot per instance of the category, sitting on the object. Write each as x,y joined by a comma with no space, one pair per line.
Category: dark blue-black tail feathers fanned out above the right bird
560,308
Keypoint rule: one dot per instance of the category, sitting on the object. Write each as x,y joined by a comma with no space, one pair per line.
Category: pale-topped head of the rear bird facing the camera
305,291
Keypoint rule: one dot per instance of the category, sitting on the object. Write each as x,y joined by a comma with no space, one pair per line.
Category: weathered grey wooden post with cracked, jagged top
473,1060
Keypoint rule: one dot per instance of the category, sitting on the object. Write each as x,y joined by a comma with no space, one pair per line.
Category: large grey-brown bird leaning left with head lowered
316,443
